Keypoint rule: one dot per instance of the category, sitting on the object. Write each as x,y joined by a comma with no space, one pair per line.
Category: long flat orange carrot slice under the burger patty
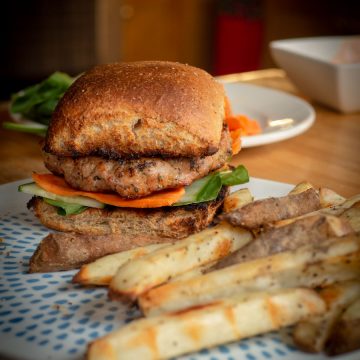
57,185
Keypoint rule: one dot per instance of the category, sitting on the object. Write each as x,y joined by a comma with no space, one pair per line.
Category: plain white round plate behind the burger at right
292,115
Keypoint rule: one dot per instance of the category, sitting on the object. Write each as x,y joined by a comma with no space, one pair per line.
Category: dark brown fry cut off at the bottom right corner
346,334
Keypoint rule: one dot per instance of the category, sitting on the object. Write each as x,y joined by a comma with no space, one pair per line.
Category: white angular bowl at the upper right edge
327,69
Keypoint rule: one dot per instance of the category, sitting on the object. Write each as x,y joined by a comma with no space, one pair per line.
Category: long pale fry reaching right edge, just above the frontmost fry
334,260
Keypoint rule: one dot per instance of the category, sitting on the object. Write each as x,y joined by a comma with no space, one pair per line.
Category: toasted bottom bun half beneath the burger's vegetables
167,222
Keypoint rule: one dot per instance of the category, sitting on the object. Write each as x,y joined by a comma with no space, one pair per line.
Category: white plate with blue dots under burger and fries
45,316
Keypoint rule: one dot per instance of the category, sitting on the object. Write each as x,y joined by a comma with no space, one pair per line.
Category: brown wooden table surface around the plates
328,154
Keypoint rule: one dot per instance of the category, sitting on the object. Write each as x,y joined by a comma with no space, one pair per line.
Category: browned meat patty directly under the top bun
137,177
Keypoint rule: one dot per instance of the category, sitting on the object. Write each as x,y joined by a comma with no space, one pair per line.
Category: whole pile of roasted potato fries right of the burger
267,264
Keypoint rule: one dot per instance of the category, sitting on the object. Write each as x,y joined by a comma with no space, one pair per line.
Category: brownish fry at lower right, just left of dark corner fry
311,335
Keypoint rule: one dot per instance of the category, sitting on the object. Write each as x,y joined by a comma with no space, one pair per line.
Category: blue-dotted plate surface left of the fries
45,315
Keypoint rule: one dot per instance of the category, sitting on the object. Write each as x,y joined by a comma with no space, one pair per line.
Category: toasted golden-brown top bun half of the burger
146,108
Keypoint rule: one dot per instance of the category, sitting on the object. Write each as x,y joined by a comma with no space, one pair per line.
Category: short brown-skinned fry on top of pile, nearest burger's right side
265,211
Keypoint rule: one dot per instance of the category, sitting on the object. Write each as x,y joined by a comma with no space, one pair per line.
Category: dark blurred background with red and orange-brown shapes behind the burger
39,37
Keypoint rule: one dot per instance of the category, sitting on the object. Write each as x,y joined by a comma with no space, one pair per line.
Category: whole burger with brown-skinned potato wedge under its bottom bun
137,154
